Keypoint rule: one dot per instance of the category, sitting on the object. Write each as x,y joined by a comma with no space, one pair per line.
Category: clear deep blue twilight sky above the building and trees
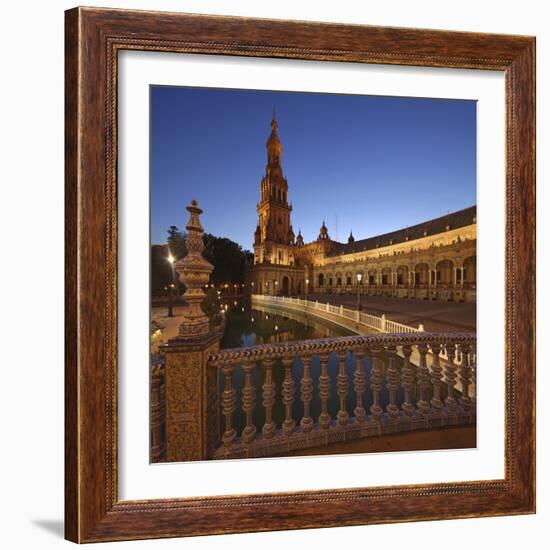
367,163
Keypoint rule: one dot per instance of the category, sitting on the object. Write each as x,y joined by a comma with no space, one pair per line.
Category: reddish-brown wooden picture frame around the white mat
93,39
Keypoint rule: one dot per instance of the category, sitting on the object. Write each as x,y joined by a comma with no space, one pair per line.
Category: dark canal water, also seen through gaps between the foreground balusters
247,326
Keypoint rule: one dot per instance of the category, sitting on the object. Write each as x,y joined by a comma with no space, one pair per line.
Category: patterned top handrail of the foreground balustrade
233,356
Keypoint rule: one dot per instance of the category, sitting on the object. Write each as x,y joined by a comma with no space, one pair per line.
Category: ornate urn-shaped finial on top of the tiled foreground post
194,272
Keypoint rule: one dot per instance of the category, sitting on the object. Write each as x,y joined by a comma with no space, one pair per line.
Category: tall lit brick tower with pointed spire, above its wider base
274,231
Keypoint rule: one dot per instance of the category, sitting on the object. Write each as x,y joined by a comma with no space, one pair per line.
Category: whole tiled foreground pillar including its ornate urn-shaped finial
192,393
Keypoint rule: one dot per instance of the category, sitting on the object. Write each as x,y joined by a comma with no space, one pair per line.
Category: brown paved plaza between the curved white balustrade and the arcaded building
435,316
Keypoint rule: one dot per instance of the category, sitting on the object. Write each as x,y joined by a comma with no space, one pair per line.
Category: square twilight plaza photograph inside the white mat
313,273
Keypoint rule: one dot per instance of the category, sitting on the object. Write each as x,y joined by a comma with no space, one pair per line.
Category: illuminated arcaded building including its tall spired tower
433,260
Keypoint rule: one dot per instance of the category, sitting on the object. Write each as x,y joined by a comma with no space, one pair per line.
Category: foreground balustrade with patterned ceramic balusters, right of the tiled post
402,396
